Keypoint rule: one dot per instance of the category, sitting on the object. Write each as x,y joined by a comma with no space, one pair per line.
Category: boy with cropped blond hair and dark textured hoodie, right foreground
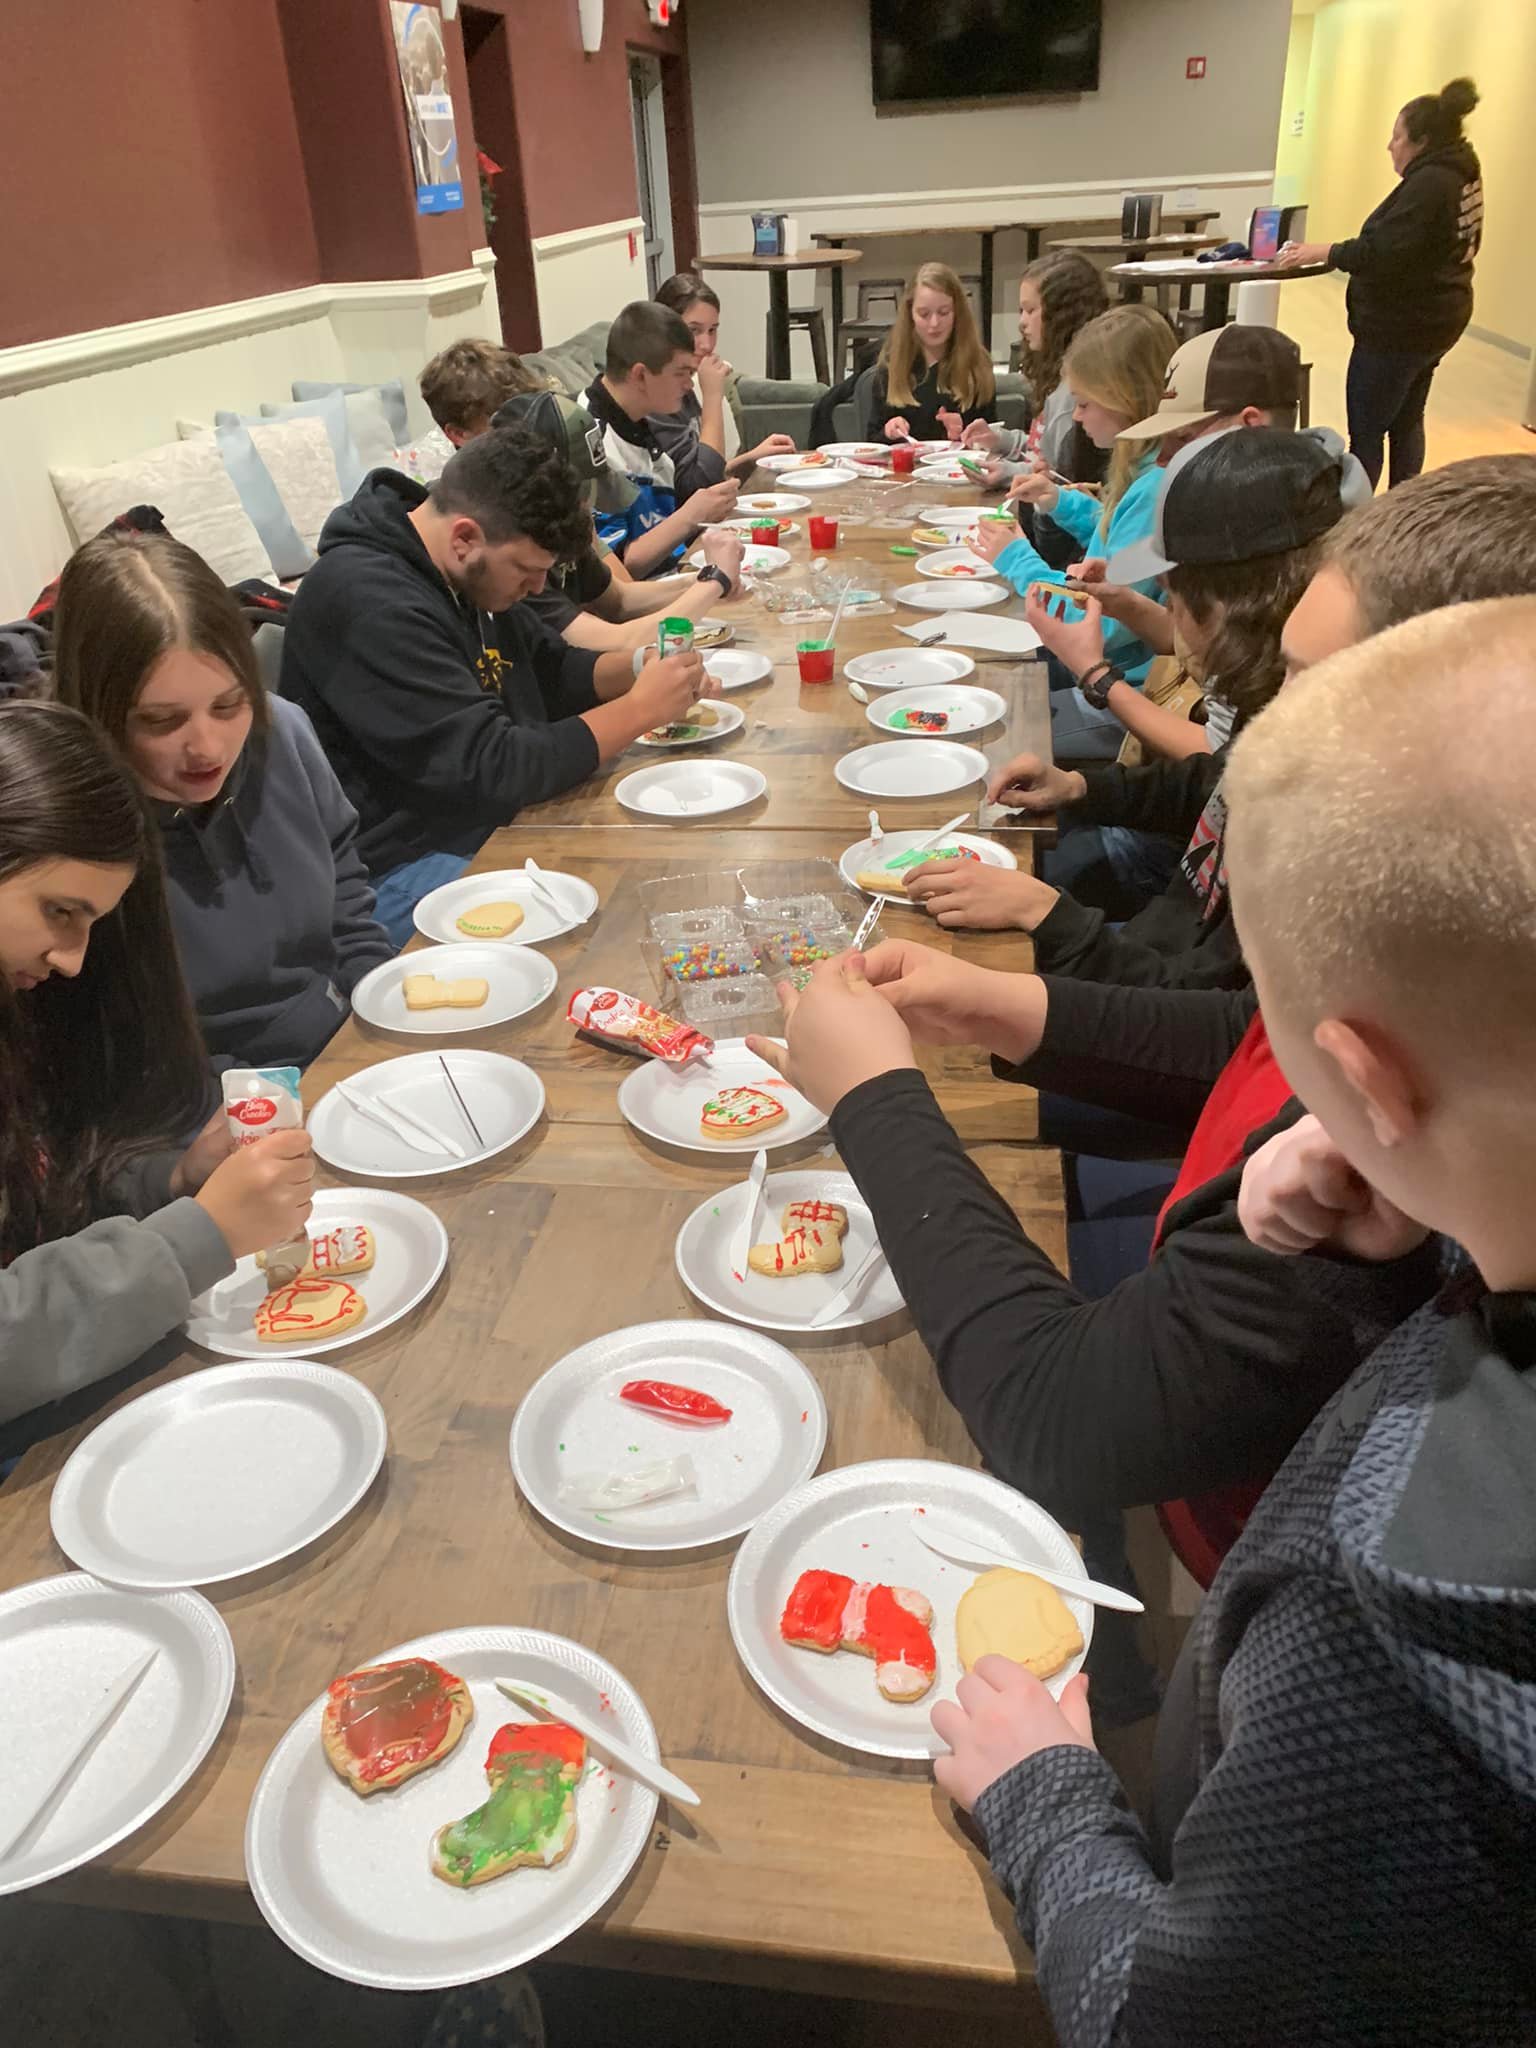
1345,1826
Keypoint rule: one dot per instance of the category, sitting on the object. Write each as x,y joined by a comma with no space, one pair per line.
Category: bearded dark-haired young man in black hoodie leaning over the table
441,703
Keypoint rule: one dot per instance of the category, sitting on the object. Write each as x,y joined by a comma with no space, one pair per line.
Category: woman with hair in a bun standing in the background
1410,278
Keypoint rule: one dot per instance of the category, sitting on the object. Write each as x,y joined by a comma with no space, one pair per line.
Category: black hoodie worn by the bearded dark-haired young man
441,722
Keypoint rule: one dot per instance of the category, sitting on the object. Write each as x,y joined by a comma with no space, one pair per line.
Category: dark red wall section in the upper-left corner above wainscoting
151,163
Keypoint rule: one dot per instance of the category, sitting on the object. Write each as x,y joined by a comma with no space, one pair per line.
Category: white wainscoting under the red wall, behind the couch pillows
97,398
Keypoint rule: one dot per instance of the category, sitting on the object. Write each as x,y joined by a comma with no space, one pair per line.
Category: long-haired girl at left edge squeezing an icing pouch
108,1230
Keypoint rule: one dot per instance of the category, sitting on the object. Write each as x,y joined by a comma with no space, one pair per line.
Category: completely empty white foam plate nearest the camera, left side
220,1474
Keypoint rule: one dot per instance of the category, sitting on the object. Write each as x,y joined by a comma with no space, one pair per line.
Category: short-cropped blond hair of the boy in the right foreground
1381,835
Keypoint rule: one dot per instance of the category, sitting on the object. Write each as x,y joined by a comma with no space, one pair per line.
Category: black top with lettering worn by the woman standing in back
1412,263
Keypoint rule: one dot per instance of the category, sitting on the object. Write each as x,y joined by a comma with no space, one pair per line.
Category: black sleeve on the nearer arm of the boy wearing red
1193,1375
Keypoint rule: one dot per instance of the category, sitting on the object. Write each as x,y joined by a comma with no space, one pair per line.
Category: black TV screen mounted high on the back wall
982,50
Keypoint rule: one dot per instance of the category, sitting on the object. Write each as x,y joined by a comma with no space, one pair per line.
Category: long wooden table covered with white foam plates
808,1867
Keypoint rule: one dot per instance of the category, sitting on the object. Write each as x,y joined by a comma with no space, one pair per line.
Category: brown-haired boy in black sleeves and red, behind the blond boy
1199,1371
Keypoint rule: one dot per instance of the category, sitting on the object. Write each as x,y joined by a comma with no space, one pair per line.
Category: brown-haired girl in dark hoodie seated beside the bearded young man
269,898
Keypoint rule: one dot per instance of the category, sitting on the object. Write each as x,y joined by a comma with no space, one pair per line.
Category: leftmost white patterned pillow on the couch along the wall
191,488
